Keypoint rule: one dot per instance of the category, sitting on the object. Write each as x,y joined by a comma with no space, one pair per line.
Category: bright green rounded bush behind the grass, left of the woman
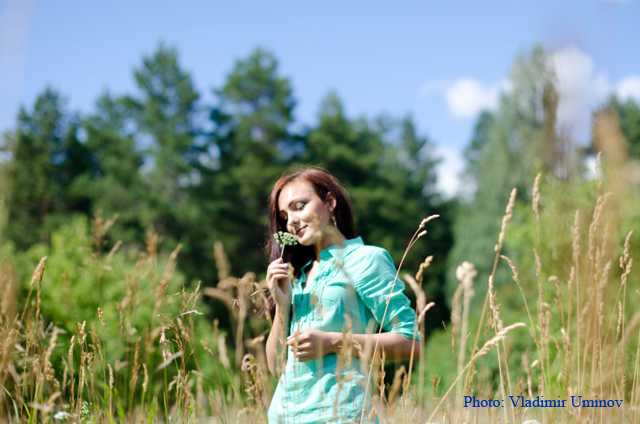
125,301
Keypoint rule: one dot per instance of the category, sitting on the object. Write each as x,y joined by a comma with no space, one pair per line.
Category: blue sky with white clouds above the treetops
439,61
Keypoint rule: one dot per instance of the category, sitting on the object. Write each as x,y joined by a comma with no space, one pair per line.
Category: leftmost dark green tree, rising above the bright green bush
47,158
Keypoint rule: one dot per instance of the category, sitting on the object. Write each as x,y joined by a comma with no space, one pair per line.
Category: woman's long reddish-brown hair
323,183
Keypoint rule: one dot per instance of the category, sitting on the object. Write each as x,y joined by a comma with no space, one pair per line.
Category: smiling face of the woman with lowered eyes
297,205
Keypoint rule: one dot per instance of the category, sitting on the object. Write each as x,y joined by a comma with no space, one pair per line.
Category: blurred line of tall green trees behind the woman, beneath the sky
196,173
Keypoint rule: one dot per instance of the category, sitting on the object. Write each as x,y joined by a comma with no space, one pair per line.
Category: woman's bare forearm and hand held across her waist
312,344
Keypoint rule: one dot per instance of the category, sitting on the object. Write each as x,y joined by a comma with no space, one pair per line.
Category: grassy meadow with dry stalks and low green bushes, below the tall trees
116,336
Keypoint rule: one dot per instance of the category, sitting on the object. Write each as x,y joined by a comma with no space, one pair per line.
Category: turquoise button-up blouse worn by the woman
352,279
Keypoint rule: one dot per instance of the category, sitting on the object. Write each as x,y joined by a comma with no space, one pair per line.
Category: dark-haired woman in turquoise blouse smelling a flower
339,284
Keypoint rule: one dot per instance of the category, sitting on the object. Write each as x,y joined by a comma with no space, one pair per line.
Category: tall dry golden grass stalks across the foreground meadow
586,343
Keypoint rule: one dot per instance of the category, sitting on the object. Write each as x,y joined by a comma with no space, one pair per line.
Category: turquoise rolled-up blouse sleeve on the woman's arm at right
373,286
